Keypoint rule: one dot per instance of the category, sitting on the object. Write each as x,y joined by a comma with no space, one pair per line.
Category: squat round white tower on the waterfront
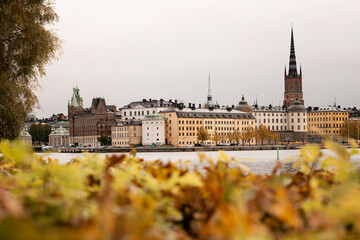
153,130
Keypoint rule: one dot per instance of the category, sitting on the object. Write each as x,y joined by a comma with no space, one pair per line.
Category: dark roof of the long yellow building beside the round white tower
207,113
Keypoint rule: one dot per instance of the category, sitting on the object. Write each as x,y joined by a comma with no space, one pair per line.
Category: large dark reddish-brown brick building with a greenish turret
86,125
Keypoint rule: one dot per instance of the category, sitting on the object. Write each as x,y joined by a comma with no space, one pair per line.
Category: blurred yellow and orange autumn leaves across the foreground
124,197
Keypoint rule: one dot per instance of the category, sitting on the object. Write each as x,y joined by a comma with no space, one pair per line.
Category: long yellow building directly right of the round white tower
182,125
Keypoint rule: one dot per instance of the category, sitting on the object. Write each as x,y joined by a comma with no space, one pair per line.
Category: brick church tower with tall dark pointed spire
293,79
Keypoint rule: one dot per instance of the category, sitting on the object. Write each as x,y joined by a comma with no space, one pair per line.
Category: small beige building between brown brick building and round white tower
126,133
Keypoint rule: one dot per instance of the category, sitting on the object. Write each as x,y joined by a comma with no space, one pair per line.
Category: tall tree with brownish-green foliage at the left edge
27,44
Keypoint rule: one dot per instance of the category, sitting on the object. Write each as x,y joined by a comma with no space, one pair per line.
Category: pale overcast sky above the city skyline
127,50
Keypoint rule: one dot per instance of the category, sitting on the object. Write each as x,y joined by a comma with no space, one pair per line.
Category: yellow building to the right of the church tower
326,121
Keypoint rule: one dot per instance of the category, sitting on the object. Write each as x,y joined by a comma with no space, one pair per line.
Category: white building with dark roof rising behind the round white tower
139,109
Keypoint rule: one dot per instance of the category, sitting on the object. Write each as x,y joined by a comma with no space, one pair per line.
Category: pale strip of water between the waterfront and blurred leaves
259,162
